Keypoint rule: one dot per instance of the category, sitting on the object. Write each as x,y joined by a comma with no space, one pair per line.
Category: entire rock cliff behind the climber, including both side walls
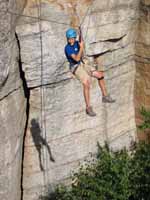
42,109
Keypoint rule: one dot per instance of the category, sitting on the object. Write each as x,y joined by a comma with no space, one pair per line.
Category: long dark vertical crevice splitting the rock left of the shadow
27,96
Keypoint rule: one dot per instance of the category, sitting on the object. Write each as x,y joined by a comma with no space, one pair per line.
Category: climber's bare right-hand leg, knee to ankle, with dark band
101,83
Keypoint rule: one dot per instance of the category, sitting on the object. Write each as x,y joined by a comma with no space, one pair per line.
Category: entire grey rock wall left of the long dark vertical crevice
12,104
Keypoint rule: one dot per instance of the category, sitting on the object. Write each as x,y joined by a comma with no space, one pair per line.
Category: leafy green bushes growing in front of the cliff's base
112,176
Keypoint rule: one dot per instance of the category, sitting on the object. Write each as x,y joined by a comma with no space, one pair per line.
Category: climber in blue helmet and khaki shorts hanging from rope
83,71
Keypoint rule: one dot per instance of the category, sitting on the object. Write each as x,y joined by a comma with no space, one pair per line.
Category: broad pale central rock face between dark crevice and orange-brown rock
59,134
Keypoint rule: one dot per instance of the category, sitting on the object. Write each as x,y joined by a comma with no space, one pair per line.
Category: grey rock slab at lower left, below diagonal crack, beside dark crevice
12,110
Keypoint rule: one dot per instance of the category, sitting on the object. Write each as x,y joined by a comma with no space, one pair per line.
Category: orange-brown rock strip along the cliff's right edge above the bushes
142,58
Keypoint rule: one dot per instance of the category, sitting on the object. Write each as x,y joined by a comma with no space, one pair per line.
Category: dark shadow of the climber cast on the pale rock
39,141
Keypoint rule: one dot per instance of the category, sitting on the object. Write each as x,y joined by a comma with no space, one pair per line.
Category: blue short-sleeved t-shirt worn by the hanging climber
72,49
